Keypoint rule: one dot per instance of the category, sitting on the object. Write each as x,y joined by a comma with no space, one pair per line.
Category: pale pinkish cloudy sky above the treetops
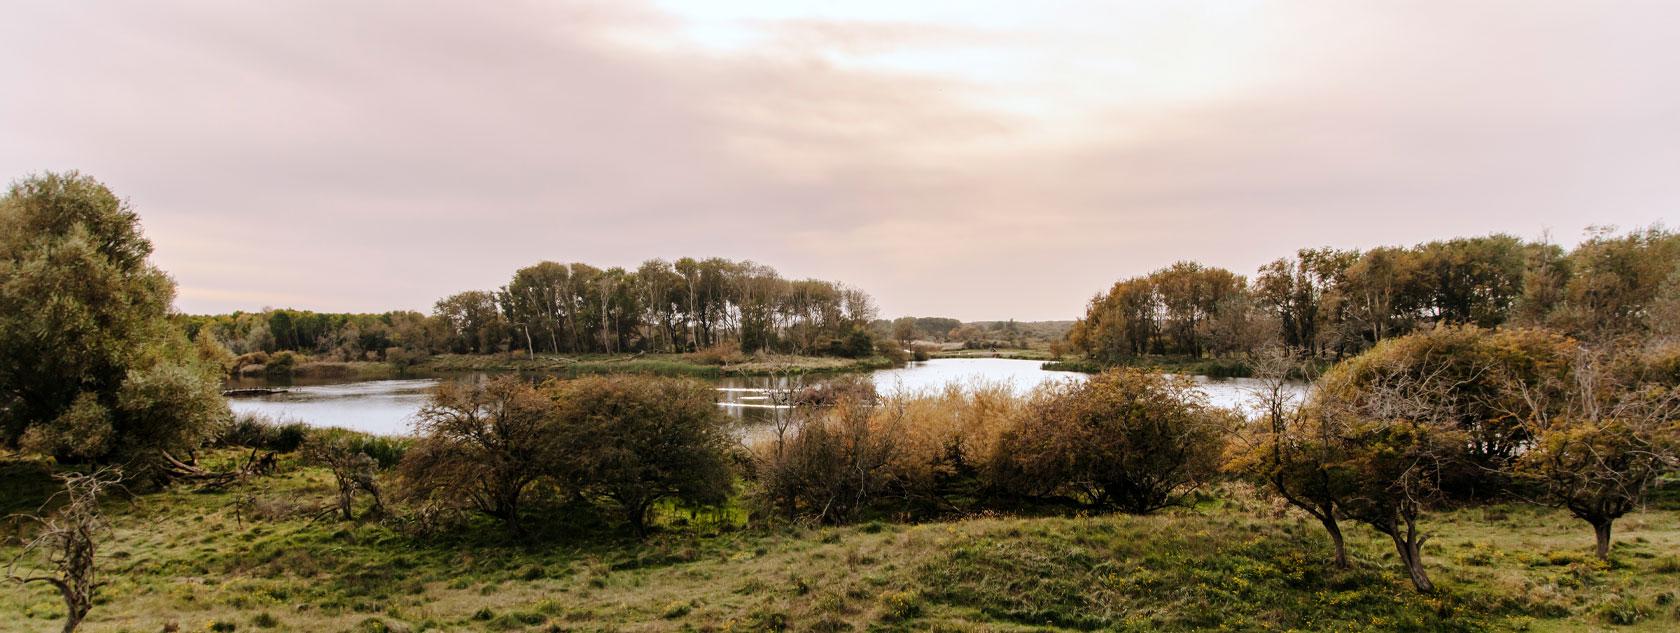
979,160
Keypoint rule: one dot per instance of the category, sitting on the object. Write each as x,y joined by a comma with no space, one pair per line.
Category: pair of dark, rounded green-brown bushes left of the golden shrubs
626,441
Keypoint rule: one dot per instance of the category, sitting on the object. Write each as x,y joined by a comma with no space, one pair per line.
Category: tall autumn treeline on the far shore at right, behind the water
1335,303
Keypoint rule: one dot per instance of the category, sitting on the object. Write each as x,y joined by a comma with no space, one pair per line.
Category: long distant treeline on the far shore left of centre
575,308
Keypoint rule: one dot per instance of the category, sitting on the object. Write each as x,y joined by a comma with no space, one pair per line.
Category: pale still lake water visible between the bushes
389,405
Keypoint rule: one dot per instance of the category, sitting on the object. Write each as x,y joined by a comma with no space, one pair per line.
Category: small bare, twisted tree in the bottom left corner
65,552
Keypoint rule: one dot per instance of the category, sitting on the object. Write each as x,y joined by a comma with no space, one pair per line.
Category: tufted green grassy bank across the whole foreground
253,560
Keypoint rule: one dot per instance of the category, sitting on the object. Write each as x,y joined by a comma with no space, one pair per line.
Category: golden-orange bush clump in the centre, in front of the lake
1128,439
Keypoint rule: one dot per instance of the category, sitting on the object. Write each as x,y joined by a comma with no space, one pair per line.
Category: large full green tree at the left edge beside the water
92,369
